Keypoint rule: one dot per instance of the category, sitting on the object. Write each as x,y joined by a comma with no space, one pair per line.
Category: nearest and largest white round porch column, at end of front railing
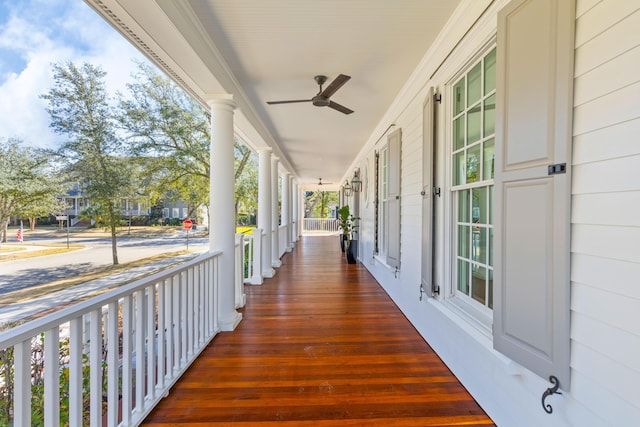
222,222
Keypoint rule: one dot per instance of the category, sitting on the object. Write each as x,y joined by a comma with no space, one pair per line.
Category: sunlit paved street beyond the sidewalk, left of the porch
24,273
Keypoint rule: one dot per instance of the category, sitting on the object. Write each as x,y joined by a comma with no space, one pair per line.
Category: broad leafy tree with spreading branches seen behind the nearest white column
171,132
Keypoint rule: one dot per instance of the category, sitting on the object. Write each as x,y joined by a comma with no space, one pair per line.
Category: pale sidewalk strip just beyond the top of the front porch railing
27,309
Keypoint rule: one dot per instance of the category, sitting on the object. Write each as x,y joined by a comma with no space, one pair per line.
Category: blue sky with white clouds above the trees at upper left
34,34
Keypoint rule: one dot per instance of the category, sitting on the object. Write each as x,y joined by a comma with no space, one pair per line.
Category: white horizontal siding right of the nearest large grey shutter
605,221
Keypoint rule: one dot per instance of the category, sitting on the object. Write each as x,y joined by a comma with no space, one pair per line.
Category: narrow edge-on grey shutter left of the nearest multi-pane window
427,190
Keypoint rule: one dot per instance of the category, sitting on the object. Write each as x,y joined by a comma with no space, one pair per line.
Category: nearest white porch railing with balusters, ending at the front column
113,357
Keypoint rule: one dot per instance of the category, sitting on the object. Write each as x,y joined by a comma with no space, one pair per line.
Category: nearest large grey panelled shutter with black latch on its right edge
533,132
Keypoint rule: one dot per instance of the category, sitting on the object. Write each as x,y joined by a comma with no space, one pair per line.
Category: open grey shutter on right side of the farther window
392,219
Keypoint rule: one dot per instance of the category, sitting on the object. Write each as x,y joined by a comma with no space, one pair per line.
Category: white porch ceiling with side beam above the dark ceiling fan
269,50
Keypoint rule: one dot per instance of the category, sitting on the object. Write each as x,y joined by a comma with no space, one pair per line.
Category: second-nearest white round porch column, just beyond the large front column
264,210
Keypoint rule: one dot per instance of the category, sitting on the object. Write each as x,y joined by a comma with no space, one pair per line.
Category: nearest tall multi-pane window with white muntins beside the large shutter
472,157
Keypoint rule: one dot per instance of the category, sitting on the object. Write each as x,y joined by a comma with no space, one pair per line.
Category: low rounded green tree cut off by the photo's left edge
28,184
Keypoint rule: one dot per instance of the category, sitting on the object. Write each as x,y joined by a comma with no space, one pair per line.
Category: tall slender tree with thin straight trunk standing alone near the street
79,108
